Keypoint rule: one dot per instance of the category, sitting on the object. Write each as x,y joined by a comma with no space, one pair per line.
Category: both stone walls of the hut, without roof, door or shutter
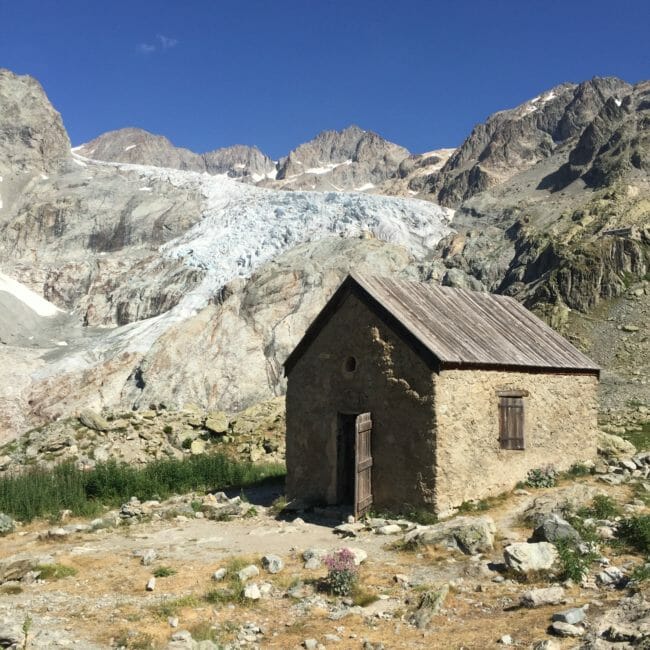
435,437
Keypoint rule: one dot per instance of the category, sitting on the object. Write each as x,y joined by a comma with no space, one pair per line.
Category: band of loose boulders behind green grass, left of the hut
139,437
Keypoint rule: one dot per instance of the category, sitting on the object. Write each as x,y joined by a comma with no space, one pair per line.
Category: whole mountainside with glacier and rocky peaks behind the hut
189,287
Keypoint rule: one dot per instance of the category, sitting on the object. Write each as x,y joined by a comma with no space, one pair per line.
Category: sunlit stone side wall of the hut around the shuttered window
559,429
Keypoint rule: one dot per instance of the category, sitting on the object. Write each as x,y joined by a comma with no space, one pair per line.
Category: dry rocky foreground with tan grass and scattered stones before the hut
222,571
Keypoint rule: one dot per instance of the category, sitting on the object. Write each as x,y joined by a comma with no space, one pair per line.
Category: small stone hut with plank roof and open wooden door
403,395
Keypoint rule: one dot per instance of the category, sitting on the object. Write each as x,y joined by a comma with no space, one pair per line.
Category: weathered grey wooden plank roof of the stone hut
461,328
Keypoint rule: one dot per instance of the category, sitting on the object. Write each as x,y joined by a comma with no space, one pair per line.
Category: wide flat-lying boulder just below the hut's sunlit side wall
470,535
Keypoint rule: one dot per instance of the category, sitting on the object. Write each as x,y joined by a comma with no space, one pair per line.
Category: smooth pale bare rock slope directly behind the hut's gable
245,337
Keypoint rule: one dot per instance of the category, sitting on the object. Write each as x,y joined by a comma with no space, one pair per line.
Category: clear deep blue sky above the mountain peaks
208,73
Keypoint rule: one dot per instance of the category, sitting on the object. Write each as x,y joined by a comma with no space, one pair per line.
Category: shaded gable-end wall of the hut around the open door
390,381
